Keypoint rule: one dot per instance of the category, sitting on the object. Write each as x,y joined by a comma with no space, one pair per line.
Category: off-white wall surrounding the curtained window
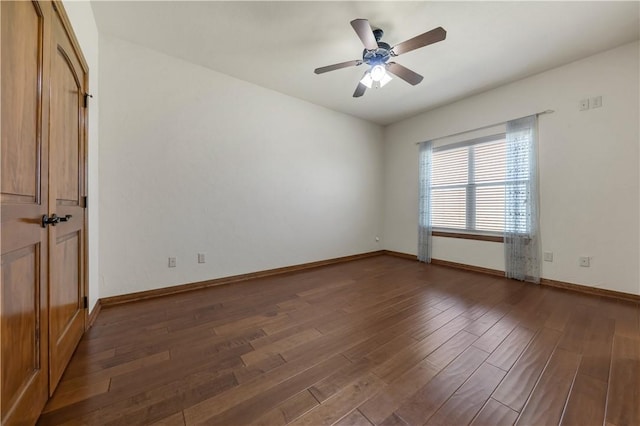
589,169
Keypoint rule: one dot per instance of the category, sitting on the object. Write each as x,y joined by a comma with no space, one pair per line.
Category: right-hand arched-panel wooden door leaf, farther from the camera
66,200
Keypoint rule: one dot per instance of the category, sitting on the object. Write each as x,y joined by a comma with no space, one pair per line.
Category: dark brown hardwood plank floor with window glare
382,340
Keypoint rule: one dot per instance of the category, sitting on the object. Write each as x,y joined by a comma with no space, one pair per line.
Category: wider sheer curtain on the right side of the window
521,235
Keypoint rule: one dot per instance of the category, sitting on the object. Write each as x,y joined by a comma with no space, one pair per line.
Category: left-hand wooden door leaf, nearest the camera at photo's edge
24,198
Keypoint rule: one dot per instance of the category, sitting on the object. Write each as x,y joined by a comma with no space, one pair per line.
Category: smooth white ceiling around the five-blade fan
277,45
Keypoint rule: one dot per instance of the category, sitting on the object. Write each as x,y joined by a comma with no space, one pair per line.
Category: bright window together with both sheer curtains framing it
484,189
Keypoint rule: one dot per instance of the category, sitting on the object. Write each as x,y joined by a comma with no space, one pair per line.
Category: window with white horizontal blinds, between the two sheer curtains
468,186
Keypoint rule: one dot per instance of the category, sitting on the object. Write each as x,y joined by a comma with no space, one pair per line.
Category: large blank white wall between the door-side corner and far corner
194,161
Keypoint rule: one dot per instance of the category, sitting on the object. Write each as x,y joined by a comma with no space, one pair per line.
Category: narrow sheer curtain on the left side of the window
424,209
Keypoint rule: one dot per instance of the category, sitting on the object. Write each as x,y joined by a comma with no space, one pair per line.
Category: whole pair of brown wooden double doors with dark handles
43,160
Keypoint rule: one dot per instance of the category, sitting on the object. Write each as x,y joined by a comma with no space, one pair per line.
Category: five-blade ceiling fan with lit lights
377,53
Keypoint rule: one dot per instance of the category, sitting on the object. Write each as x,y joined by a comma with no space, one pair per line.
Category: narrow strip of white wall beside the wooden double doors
84,26
